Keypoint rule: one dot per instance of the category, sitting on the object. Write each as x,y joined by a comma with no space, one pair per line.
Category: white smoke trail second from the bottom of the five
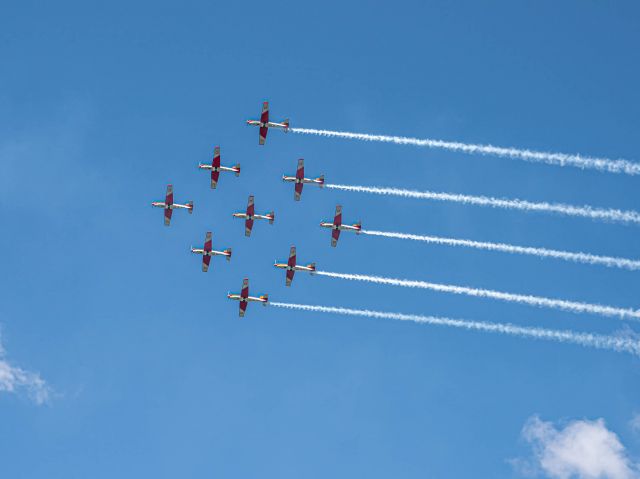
572,306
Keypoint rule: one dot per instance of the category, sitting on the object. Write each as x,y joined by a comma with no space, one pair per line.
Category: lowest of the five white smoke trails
613,343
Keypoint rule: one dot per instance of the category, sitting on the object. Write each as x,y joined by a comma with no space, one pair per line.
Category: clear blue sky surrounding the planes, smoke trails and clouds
148,369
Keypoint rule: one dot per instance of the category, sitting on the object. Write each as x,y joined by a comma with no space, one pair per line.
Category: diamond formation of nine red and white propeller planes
250,215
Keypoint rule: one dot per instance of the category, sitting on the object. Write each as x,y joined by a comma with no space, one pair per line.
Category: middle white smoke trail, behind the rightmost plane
586,258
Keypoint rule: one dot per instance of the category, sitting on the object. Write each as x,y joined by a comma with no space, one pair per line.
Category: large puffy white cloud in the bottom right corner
581,449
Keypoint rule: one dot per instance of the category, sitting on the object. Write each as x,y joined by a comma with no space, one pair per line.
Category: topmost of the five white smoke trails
559,159
